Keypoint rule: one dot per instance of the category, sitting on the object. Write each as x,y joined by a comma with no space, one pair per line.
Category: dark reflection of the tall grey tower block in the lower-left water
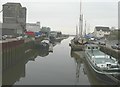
13,74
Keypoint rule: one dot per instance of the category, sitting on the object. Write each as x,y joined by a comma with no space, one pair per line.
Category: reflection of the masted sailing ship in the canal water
81,77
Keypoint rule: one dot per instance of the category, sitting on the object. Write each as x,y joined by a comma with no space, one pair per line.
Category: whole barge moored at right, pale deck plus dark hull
103,65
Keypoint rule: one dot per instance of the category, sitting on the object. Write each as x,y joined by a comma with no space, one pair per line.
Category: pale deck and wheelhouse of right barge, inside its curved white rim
100,59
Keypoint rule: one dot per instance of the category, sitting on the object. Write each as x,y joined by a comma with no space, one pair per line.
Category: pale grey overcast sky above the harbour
63,15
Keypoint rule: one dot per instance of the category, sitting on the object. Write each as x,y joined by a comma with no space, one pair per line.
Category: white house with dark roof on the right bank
100,32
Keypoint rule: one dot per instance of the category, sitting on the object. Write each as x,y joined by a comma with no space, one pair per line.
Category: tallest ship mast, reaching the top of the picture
80,20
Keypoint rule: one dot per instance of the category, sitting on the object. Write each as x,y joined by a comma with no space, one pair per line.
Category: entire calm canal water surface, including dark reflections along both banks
62,67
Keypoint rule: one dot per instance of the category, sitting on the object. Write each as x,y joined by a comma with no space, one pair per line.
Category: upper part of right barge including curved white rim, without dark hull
101,62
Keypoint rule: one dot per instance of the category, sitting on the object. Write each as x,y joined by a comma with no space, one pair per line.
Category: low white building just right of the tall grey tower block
35,27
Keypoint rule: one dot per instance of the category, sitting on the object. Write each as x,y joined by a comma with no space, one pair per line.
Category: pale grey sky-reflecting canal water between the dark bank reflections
57,68
